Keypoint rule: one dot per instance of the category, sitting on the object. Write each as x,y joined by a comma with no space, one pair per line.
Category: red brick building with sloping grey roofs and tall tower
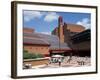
60,42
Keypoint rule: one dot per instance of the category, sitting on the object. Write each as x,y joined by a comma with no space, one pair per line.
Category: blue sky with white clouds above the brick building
45,22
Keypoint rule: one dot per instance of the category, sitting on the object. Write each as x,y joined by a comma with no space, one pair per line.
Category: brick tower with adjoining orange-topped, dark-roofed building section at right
68,33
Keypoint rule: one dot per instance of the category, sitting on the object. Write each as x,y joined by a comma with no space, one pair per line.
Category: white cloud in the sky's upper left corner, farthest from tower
29,15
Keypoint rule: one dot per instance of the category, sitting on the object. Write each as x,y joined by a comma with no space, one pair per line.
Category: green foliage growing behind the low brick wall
27,55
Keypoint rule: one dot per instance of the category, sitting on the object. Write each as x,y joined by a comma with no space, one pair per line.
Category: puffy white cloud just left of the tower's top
51,16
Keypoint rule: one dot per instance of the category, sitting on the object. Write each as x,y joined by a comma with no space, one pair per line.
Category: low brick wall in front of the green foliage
36,62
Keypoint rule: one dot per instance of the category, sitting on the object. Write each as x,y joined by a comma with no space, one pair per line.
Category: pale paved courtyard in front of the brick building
74,62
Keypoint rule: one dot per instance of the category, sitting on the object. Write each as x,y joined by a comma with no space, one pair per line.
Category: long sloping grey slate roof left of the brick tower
39,38
